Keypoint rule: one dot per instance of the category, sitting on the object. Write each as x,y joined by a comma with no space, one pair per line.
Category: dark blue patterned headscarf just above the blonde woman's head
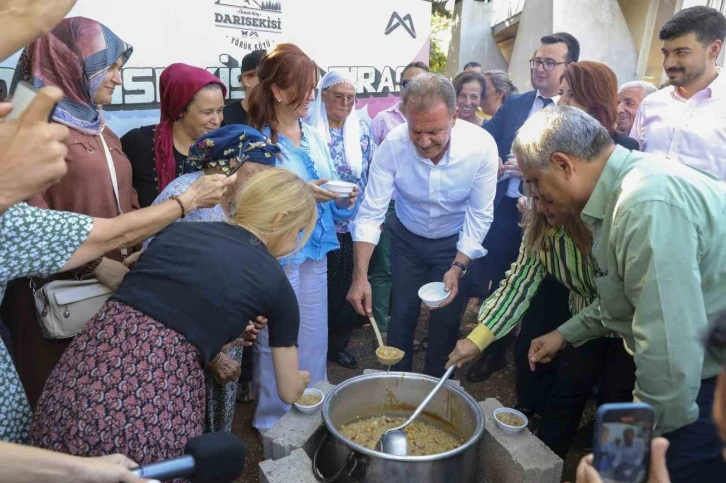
235,142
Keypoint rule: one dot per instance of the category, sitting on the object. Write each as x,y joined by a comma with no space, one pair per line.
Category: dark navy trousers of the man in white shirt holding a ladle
416,261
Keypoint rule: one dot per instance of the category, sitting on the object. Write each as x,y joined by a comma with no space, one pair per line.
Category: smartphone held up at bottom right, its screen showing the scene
621,444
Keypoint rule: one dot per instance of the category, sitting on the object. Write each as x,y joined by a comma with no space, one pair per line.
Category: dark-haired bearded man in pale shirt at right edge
687,121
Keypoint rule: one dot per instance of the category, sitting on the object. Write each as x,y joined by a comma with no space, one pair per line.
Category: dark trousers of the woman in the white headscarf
342,317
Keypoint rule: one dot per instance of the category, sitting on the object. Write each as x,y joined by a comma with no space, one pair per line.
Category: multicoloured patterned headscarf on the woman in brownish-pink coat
75,56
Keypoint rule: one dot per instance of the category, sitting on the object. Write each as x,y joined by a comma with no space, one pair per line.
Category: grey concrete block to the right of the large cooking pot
514,458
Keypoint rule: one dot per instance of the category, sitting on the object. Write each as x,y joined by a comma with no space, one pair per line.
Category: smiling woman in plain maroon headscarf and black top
192,101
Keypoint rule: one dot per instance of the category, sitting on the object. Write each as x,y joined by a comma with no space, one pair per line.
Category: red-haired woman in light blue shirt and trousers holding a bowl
278,104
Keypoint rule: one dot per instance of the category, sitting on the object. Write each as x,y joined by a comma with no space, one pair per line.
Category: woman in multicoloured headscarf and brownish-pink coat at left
83,58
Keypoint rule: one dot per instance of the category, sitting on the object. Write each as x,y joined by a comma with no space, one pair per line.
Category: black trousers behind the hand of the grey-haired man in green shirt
548,309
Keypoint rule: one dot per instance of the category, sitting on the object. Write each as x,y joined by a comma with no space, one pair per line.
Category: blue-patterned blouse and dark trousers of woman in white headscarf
342,318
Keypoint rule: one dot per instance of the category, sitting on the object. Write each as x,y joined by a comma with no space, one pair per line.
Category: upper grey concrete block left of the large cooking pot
295,430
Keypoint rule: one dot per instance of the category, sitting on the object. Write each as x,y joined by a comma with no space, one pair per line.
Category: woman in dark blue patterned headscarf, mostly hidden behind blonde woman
217,153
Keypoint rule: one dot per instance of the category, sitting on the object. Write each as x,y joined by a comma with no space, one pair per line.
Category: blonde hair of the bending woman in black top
270,193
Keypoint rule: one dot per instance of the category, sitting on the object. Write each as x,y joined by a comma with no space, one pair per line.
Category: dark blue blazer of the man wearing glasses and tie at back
504,126
